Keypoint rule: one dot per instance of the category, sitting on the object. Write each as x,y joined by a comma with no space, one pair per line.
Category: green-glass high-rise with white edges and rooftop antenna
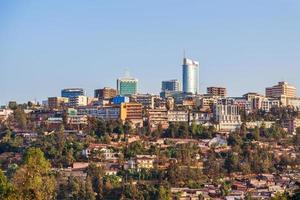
127,86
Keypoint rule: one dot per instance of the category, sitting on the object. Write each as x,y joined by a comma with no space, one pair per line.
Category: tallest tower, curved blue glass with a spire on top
190,76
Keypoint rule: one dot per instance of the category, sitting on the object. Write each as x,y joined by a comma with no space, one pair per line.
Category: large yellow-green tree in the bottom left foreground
33,179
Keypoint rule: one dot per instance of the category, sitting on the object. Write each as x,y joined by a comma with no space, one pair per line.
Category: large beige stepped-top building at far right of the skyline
282,89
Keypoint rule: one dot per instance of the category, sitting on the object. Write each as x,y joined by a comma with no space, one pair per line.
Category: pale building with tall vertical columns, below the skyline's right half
227,117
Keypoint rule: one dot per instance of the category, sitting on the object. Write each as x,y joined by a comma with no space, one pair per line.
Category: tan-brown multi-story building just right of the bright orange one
157,117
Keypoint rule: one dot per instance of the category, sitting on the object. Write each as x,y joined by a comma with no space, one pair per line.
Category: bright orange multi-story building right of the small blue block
132,112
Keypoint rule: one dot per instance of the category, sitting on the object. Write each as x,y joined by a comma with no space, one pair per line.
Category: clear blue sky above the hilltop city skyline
49,45
